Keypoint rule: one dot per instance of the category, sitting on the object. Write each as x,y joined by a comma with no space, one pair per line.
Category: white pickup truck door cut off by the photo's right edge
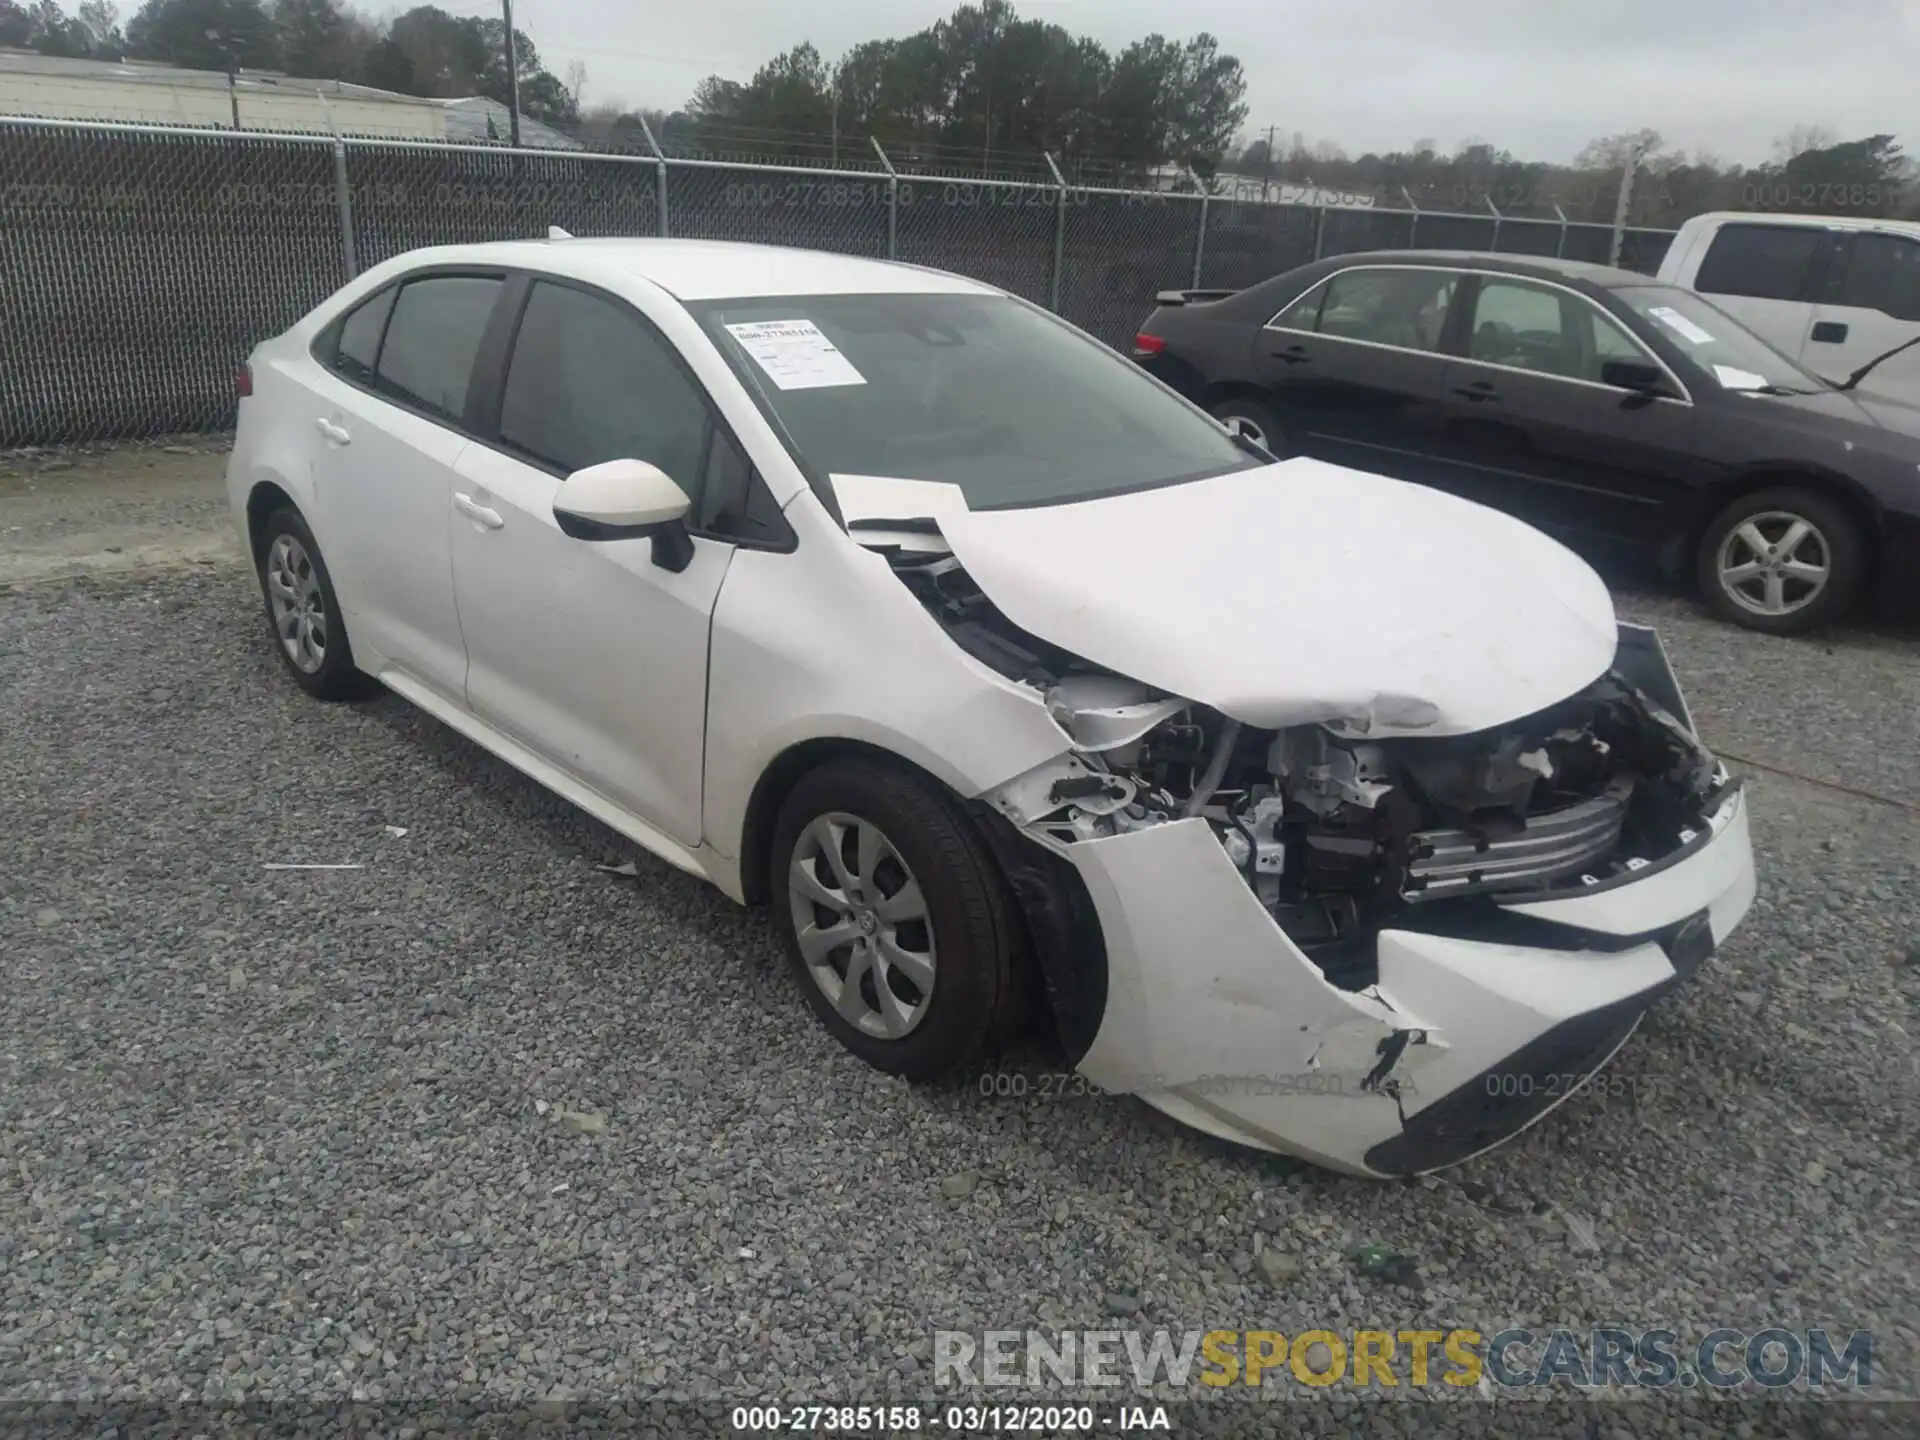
1869,302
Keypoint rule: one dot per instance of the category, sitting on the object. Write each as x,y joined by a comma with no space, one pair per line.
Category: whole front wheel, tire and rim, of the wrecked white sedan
896,919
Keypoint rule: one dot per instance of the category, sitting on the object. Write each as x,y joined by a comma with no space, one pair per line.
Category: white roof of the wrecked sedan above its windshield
708,270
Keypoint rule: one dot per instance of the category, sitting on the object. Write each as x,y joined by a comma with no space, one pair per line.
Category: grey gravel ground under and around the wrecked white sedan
483,1122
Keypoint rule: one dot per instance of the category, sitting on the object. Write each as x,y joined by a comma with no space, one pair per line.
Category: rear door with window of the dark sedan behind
1356,372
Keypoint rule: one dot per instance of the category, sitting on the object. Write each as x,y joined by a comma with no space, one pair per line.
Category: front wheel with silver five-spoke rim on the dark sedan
1783,562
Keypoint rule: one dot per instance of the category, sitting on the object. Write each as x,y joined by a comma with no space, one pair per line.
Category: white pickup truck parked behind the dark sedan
1835,293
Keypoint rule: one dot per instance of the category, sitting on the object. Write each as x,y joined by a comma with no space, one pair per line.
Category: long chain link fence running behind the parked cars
139,266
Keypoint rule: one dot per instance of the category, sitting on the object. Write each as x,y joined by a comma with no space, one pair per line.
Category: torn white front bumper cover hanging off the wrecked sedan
1218,1019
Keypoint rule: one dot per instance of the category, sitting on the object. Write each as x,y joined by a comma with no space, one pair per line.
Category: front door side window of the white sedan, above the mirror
590,383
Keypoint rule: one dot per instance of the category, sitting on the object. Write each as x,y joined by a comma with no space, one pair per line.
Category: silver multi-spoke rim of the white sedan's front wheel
863,926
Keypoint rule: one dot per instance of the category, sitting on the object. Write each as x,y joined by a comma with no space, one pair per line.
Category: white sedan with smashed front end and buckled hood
1326,813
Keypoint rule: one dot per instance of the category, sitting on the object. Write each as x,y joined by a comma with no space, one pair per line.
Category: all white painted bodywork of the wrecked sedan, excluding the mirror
660,702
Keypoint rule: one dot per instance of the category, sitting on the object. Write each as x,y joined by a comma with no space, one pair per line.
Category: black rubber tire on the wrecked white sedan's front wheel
971,919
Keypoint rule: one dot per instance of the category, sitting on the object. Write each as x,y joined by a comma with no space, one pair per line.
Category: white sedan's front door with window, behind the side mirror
592,654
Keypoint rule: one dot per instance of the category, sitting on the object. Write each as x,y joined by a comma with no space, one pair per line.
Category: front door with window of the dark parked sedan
1537,433
